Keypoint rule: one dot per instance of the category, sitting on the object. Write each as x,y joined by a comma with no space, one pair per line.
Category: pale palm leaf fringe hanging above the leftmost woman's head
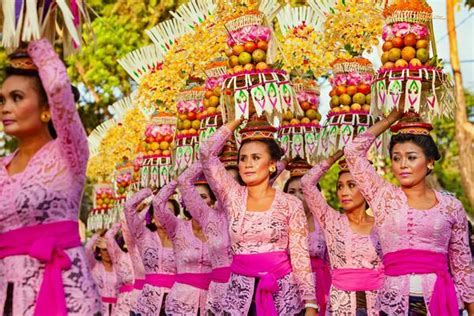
27,20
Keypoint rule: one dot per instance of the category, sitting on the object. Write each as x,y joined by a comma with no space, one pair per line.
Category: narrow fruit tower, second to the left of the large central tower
190,107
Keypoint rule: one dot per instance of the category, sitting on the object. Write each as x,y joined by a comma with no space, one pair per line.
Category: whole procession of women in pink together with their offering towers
207,183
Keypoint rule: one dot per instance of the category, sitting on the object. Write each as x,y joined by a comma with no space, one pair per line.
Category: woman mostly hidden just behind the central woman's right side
317,245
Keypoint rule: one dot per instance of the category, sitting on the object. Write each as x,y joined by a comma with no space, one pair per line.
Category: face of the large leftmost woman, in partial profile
20,106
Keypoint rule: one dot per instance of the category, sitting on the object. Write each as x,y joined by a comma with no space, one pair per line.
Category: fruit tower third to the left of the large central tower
156,162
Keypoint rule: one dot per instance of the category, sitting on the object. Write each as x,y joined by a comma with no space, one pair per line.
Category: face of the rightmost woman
409,164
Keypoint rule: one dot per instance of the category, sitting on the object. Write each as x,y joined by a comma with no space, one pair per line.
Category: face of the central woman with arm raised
254,163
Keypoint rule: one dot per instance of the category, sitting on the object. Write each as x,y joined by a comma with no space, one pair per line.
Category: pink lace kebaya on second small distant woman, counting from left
123,270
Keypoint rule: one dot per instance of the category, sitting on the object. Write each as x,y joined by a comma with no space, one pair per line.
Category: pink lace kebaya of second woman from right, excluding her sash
346,249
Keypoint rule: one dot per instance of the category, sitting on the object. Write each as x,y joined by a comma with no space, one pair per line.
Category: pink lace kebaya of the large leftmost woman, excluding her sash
48,190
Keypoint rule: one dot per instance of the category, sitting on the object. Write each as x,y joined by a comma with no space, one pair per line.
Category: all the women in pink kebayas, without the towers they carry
244,247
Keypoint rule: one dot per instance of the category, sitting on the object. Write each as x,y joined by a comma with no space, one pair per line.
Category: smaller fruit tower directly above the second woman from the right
350,105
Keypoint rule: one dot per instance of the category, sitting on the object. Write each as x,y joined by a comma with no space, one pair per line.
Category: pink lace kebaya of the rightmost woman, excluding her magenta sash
442,228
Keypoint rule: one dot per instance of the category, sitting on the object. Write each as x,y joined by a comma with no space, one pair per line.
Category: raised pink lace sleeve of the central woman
220,181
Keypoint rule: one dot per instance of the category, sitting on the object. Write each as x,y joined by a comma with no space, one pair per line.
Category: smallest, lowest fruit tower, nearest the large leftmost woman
102,203
